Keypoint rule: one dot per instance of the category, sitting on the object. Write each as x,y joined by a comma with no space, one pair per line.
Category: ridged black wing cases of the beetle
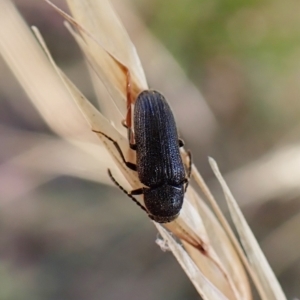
156,137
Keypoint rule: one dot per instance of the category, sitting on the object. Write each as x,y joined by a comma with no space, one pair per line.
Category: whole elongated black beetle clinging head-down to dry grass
158,164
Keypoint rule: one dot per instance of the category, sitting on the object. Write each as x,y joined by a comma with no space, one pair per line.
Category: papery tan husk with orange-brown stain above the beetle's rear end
117,75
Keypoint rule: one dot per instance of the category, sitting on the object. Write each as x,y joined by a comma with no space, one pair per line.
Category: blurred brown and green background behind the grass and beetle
231,72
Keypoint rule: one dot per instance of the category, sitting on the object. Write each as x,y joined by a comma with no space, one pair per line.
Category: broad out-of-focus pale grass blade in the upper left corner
34,72
